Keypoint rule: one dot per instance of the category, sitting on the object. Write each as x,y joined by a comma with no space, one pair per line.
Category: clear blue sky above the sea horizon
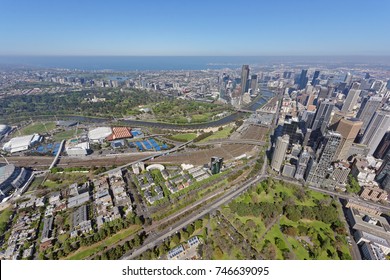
158,27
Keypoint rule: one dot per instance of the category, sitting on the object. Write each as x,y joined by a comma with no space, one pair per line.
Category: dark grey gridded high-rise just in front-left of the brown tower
319,171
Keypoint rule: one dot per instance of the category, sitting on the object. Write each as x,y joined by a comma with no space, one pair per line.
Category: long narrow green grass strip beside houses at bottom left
85,252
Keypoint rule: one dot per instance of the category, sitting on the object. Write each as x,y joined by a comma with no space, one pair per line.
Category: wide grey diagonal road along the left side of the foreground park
227,197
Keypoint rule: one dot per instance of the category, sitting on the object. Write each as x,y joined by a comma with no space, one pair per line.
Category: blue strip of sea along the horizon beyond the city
155,63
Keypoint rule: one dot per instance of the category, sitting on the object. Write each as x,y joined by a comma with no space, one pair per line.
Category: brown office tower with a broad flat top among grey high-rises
348,129
